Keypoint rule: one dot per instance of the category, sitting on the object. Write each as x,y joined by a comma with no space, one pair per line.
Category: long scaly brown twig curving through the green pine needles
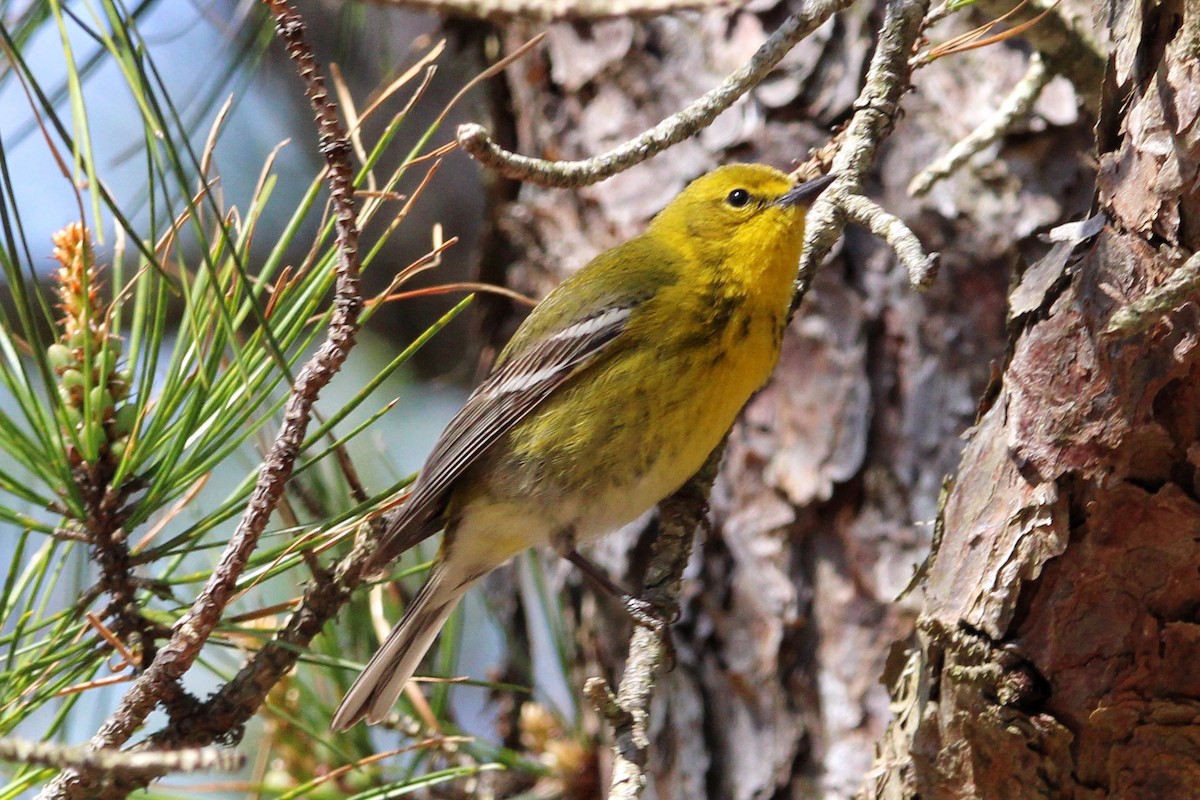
161,678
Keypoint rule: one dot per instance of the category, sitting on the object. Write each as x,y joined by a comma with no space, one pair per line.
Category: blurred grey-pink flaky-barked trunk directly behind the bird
832,482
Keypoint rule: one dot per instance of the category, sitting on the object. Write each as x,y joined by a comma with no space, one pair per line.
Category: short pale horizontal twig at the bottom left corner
88,760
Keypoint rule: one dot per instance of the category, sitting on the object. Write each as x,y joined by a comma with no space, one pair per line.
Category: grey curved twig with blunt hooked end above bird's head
677,128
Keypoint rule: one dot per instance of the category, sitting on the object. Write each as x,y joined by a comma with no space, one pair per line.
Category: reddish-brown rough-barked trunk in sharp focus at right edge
1059,649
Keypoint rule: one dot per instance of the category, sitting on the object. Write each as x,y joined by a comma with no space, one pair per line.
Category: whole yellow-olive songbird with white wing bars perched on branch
609,398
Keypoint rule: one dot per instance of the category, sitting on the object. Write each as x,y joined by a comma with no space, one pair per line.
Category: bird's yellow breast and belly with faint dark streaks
632,429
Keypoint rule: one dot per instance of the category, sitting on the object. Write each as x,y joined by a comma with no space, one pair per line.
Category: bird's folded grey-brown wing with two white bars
511,393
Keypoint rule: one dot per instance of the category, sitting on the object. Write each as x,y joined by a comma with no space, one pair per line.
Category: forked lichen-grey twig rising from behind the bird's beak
887,81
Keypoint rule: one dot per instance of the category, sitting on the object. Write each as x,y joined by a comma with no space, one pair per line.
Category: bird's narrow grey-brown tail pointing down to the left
379,688
